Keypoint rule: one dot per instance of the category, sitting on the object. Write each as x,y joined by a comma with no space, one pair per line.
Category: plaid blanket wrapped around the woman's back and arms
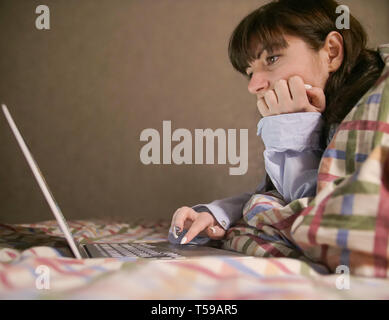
347,223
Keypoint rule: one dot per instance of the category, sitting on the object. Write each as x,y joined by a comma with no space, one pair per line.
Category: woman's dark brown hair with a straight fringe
312,21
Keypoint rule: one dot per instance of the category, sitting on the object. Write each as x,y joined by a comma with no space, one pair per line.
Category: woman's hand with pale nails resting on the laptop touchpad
197,223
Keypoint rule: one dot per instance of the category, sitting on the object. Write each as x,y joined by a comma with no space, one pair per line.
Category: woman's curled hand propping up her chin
291,96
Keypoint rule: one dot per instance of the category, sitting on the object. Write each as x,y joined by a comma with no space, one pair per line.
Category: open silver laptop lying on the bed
160,250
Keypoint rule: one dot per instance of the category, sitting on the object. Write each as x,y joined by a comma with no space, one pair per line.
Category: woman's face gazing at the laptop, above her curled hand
295,60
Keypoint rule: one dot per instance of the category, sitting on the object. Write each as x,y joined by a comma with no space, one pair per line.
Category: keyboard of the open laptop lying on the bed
141,250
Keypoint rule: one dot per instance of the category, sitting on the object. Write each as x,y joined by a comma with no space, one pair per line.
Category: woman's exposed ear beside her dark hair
334,51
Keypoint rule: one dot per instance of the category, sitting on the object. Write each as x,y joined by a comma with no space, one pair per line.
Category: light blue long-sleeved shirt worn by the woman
292,156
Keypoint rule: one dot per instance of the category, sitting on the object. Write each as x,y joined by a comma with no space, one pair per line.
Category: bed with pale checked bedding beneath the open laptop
26,250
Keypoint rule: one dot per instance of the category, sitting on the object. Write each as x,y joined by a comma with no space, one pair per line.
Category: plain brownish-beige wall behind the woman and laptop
83,91
